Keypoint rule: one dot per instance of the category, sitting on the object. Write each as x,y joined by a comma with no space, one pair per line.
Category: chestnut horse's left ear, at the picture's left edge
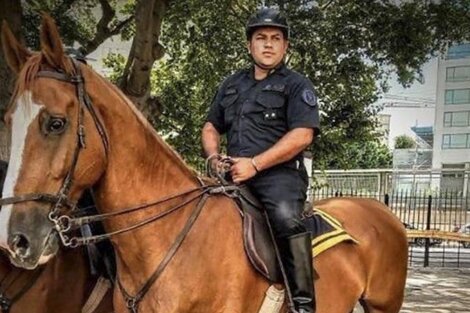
16,54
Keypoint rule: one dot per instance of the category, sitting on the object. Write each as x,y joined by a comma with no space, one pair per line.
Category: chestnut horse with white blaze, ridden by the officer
101,140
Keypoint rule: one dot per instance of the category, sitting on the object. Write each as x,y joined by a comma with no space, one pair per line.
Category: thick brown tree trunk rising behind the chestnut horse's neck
145,50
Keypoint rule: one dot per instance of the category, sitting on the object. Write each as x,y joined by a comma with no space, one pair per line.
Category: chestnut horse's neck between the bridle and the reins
141,166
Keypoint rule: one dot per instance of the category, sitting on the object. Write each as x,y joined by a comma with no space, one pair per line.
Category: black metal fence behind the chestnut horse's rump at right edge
421,210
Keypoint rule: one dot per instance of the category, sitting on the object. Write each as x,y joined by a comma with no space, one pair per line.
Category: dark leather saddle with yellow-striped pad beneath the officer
258,243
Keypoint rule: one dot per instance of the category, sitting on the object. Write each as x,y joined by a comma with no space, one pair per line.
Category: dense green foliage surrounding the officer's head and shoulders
344,47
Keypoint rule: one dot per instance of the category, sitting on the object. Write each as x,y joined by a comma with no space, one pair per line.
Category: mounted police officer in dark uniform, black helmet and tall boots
270,115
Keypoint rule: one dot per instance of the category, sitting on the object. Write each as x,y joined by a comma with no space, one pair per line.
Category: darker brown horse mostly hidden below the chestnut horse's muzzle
65,284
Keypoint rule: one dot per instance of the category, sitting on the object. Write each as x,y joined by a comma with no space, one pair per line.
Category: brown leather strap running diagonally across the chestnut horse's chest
132,302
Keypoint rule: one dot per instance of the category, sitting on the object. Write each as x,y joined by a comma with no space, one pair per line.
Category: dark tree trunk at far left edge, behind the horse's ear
10,11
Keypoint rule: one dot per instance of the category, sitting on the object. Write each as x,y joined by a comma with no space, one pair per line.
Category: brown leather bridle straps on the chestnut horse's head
62,198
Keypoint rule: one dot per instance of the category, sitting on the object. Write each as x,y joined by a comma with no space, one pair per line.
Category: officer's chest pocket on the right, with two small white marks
270,108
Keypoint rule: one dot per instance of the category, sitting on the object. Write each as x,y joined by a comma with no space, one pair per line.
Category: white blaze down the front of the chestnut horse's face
25,113
